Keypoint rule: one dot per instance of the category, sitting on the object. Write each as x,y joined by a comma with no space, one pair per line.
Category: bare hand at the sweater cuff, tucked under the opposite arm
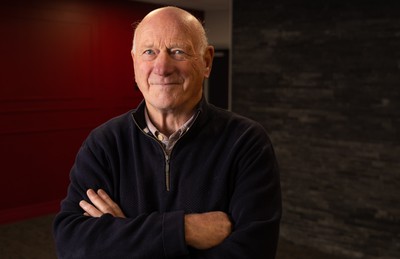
206,230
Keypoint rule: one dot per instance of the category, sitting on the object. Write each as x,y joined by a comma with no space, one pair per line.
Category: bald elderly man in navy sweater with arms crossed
176,177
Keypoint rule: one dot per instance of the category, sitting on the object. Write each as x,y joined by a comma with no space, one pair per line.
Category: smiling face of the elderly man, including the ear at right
169,69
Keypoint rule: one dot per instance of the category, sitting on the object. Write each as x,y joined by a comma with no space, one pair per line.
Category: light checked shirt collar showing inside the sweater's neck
167,142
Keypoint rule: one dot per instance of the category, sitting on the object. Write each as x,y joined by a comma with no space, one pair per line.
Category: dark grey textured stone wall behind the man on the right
323,78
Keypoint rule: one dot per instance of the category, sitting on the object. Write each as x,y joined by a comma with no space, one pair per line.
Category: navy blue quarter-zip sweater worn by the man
223,162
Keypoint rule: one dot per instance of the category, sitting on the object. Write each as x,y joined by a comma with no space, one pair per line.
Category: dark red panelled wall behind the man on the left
65,68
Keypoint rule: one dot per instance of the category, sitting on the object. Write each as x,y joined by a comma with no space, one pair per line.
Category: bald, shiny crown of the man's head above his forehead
174,17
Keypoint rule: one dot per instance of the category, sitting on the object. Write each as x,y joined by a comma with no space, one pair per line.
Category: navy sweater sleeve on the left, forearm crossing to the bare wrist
148,235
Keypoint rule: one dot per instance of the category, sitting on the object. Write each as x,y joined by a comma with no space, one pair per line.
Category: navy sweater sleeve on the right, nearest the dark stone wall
255,206
